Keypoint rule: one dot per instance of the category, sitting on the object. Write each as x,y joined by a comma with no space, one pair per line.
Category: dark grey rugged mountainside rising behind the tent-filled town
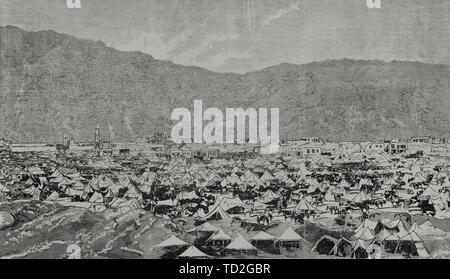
53,84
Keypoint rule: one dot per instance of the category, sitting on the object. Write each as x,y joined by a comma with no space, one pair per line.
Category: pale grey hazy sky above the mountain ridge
246,35
